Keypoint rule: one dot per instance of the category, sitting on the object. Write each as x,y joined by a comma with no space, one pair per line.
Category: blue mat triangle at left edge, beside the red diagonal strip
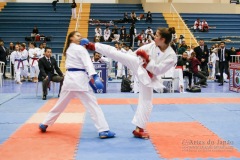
16,112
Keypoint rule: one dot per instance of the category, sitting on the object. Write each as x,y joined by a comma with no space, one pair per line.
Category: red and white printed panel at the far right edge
234,81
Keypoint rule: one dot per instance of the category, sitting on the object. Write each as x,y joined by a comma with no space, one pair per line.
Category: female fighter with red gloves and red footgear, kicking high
153,60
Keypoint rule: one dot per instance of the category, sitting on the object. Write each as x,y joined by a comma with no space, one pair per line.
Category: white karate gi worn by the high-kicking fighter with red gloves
160,62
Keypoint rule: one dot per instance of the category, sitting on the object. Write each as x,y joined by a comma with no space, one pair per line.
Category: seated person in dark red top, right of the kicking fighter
194,62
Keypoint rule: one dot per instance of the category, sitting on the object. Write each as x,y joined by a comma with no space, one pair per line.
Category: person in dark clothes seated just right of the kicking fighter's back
185,64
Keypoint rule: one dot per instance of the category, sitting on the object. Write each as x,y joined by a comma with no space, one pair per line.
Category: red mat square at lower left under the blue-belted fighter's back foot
28,143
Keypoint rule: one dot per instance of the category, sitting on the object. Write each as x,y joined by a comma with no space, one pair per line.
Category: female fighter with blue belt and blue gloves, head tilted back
80,71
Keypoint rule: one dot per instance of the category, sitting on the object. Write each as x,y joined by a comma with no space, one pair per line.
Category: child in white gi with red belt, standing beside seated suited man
34,55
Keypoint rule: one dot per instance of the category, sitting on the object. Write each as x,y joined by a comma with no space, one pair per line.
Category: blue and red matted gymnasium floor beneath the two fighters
182,126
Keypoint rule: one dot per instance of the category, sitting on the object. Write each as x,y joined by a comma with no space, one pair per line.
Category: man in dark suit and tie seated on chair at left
48,66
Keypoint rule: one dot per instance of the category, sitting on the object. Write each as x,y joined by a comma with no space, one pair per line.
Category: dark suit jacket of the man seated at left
46,68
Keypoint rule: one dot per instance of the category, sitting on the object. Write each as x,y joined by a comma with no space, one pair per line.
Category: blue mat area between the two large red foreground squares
123,147
